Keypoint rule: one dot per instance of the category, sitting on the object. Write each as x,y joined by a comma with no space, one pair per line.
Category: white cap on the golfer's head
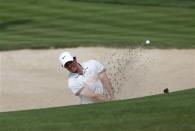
65,57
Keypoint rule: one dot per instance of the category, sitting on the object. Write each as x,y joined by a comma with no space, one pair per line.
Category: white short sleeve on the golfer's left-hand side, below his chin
75,86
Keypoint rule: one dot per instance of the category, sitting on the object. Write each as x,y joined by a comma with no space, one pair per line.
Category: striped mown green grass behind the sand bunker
62,23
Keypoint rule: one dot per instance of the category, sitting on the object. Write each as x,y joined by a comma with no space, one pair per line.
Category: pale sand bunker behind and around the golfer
34,79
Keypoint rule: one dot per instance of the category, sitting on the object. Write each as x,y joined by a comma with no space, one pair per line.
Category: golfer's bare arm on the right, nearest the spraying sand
106,83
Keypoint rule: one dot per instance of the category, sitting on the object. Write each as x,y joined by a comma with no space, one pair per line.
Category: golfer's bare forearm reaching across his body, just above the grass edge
86,92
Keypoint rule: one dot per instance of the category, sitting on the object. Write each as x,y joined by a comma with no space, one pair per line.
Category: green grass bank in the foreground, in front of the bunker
170,112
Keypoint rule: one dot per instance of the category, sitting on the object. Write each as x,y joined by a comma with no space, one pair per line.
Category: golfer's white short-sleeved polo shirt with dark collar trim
91,70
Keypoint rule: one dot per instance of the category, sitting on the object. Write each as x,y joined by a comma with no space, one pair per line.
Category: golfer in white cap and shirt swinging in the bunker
88,80
